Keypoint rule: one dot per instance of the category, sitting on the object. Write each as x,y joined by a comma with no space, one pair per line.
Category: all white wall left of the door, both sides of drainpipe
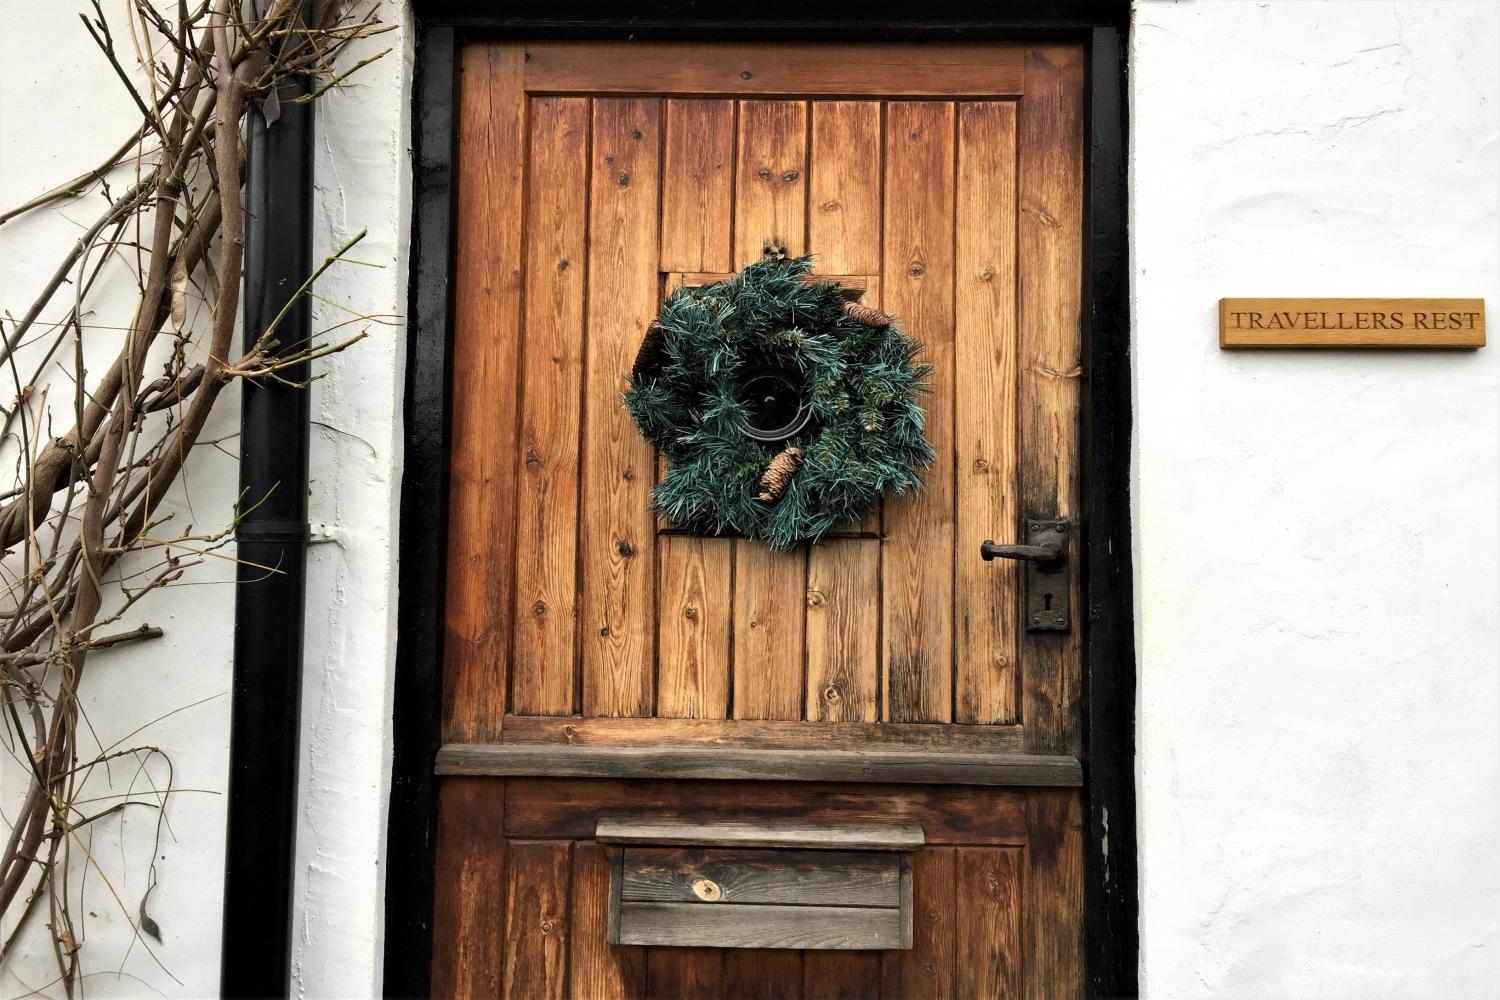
58,119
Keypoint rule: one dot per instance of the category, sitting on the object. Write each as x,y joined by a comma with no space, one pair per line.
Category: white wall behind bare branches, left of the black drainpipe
61,116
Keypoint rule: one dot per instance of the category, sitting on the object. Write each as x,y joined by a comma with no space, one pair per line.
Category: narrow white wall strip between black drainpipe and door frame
364,182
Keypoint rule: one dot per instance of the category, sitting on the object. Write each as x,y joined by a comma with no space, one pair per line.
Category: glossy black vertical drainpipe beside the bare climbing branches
272,533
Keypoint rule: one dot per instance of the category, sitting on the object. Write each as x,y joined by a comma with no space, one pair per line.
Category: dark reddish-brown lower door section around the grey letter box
986,918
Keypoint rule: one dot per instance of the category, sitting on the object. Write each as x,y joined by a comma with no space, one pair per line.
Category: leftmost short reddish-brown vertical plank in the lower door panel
536,920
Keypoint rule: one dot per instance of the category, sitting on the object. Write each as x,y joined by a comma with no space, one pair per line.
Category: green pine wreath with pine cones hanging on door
782,409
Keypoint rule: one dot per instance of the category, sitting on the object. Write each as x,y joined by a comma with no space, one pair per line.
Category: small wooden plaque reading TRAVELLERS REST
1352,323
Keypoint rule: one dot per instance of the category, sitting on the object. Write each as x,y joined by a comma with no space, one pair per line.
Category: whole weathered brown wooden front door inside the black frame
602,666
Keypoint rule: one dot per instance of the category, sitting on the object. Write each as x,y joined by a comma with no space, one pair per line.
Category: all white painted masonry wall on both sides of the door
1318,534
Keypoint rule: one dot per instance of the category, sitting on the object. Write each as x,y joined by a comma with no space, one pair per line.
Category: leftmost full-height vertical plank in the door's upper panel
551,361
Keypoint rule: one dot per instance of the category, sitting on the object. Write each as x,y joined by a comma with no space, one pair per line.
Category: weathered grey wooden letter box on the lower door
740,885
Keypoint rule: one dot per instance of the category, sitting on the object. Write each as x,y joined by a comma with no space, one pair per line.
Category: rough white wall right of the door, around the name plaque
1318,549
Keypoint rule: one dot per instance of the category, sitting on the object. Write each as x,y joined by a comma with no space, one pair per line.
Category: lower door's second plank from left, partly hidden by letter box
598,969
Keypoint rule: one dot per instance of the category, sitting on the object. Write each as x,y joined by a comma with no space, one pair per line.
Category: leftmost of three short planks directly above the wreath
697,185
